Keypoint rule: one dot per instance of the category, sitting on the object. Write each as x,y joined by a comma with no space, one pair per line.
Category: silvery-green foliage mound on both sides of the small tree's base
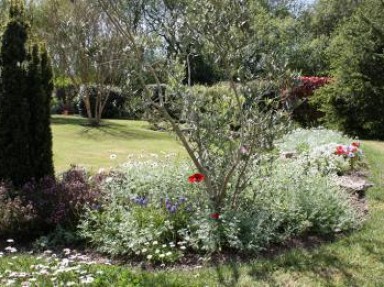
152,212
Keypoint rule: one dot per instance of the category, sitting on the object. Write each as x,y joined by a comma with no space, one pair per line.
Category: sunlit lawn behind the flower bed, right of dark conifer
76,143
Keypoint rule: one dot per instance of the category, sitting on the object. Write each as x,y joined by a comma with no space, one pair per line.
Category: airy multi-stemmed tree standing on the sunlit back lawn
86,49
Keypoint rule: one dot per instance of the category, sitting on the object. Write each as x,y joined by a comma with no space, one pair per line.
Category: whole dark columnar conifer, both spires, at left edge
25,91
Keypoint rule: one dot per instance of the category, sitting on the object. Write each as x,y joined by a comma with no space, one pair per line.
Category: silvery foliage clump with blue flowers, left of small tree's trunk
144,210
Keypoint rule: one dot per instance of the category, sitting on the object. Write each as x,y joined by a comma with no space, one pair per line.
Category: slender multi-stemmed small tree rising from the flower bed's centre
226,133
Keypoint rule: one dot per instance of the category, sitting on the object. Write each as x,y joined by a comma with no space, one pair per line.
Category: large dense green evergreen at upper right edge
353,101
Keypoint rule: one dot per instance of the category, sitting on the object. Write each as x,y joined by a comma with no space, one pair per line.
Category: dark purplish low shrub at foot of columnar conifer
43,206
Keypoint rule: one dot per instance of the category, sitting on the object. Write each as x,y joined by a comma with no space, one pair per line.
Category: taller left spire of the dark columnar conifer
15,161
